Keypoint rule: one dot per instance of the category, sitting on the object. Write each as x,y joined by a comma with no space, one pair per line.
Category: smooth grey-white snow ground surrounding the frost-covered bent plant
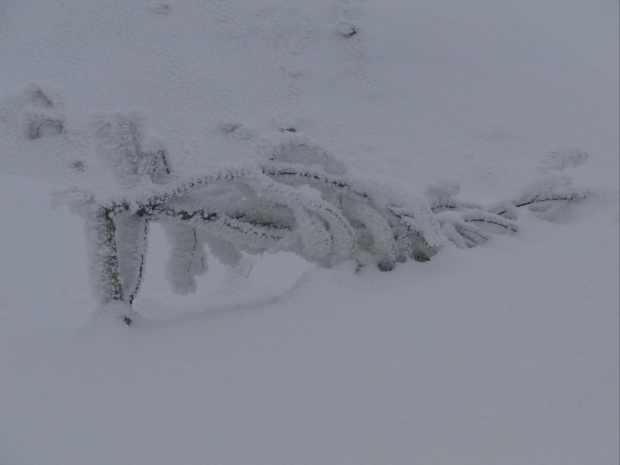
507,353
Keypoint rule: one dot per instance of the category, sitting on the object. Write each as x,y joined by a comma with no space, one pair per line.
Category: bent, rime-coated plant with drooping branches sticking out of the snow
300,198
